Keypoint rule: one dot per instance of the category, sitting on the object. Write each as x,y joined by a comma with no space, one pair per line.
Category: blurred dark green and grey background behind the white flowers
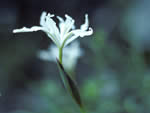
113,74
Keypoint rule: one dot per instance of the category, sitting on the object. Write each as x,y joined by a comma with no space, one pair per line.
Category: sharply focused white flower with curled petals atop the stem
64,34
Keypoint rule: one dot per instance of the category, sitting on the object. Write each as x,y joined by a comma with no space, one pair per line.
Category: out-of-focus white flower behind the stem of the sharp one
70,55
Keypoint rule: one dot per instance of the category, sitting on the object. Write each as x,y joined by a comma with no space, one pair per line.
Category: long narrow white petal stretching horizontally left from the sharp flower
24,29
